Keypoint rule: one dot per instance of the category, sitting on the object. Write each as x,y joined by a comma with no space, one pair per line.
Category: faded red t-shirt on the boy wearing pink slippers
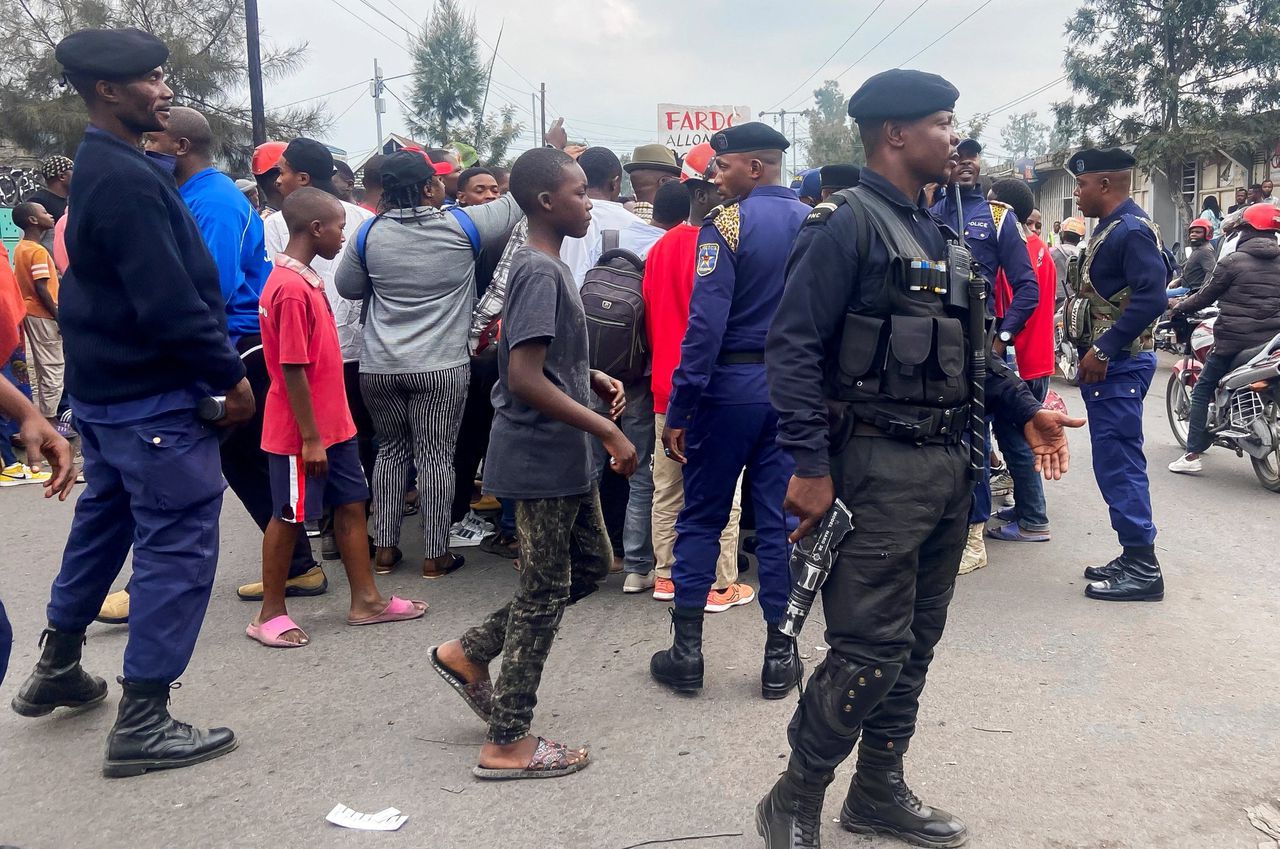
299,330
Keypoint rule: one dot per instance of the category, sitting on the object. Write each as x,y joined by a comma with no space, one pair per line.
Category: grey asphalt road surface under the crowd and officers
1049,720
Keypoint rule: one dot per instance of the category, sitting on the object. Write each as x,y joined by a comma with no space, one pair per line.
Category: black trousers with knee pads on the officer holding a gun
886,600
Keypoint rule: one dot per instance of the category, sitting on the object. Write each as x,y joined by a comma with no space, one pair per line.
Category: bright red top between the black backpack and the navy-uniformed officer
669,284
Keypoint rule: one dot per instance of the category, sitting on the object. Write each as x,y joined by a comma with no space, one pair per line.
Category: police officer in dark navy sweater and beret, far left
145,330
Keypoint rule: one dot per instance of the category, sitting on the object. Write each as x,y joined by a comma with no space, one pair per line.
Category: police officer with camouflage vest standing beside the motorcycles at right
1122,277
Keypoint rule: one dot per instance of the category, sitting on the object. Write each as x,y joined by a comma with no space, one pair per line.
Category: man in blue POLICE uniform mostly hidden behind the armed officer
998,245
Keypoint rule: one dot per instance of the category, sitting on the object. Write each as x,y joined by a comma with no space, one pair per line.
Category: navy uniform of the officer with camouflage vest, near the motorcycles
1130,257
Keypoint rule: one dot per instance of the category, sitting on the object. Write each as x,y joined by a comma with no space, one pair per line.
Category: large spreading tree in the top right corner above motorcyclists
1176,79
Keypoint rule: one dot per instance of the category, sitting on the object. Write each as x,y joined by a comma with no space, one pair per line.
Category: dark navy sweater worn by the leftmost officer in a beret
141,309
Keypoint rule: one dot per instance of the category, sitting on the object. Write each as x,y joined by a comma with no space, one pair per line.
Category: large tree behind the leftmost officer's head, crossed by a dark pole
208,70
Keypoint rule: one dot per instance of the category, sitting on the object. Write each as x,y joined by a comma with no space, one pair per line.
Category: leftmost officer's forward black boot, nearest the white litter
147,738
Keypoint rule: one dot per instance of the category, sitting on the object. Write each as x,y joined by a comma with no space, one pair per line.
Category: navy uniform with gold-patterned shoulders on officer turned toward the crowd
721,398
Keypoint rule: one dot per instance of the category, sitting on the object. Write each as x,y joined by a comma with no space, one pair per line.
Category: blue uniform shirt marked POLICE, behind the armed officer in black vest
995,249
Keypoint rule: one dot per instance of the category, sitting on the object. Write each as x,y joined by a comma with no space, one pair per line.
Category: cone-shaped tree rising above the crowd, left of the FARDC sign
450,86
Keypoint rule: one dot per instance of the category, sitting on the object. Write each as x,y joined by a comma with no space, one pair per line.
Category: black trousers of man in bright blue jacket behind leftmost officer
245,462
